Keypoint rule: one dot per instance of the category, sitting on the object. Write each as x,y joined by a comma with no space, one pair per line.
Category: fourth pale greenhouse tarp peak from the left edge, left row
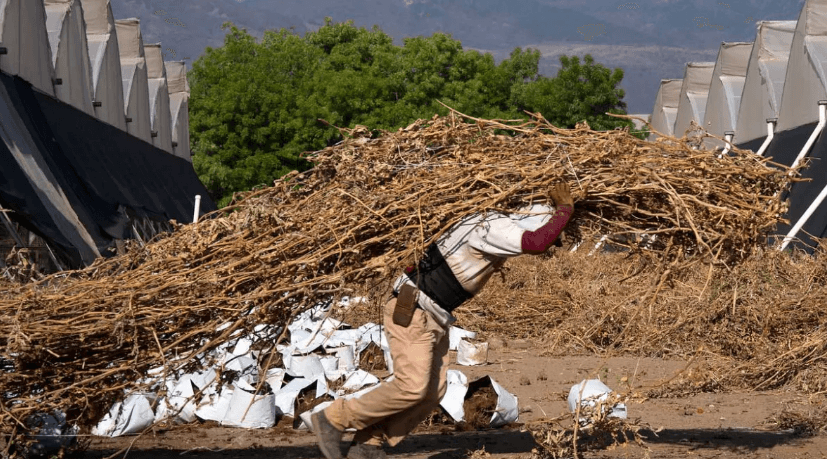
134,74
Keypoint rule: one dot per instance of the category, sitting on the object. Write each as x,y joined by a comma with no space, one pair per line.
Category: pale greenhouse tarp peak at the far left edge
23,34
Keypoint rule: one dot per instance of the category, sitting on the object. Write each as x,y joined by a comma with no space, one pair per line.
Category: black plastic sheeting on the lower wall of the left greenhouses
105,173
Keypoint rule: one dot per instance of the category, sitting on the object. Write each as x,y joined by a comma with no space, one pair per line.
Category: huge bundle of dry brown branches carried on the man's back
77,340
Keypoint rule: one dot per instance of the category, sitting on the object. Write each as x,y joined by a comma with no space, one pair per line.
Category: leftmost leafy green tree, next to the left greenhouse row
244,98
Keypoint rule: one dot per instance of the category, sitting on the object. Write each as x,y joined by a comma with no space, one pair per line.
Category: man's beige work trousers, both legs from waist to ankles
394,408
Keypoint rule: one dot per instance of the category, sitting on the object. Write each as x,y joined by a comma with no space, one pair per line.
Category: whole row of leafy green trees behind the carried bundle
255,105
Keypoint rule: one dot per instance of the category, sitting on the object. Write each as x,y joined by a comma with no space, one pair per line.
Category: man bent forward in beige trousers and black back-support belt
418,317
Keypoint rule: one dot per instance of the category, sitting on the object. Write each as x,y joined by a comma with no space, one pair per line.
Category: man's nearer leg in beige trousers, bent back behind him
413,352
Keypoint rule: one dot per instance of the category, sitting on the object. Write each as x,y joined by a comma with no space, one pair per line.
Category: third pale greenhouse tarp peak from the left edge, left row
107,82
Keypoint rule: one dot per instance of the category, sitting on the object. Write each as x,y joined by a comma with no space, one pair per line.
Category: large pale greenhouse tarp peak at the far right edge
805,82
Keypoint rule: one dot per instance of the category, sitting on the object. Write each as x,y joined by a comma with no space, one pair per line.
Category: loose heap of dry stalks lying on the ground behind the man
758,325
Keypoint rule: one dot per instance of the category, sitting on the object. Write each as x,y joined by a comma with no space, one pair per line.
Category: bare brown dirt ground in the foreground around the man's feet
704,425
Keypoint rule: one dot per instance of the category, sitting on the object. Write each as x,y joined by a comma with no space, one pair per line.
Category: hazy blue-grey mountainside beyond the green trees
649,39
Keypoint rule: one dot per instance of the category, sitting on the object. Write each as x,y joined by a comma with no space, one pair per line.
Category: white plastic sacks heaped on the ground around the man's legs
321,350
